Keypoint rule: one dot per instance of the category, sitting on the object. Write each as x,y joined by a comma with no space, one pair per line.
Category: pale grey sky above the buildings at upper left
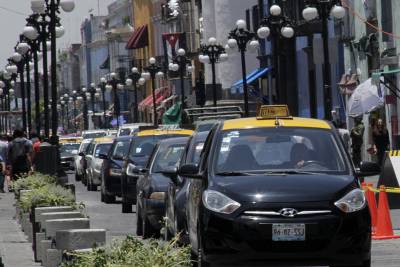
14,12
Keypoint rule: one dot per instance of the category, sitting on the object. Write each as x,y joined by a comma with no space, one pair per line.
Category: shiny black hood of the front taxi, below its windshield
283,188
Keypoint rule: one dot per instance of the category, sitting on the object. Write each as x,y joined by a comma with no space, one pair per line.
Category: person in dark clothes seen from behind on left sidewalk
20,154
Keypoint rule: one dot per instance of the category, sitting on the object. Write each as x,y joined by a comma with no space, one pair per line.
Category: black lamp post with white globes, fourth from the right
213,53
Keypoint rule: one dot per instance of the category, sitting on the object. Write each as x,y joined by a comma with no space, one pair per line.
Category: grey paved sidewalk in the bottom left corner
14,247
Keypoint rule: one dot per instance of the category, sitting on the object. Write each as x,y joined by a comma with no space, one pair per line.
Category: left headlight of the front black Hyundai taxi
218,202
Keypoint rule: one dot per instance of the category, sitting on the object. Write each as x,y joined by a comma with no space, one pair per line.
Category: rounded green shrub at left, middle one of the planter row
45,196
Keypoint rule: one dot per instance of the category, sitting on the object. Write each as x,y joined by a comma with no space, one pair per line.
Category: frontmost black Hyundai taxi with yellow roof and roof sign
280,189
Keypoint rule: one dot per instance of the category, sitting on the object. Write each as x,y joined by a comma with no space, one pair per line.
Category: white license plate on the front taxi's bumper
288,232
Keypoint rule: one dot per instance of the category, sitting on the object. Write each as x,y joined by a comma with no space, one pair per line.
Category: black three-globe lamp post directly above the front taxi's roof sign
277,25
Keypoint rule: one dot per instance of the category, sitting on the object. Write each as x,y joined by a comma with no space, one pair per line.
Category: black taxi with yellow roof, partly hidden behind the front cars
141,147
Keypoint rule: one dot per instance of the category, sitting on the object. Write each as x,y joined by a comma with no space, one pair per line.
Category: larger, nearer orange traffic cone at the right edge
384,229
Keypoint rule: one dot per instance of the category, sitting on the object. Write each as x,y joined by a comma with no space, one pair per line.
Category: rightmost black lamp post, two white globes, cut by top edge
323,9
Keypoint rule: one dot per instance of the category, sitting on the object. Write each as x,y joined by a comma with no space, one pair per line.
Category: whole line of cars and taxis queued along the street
274,188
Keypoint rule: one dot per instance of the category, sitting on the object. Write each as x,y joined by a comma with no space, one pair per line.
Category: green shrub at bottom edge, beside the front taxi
132,252
